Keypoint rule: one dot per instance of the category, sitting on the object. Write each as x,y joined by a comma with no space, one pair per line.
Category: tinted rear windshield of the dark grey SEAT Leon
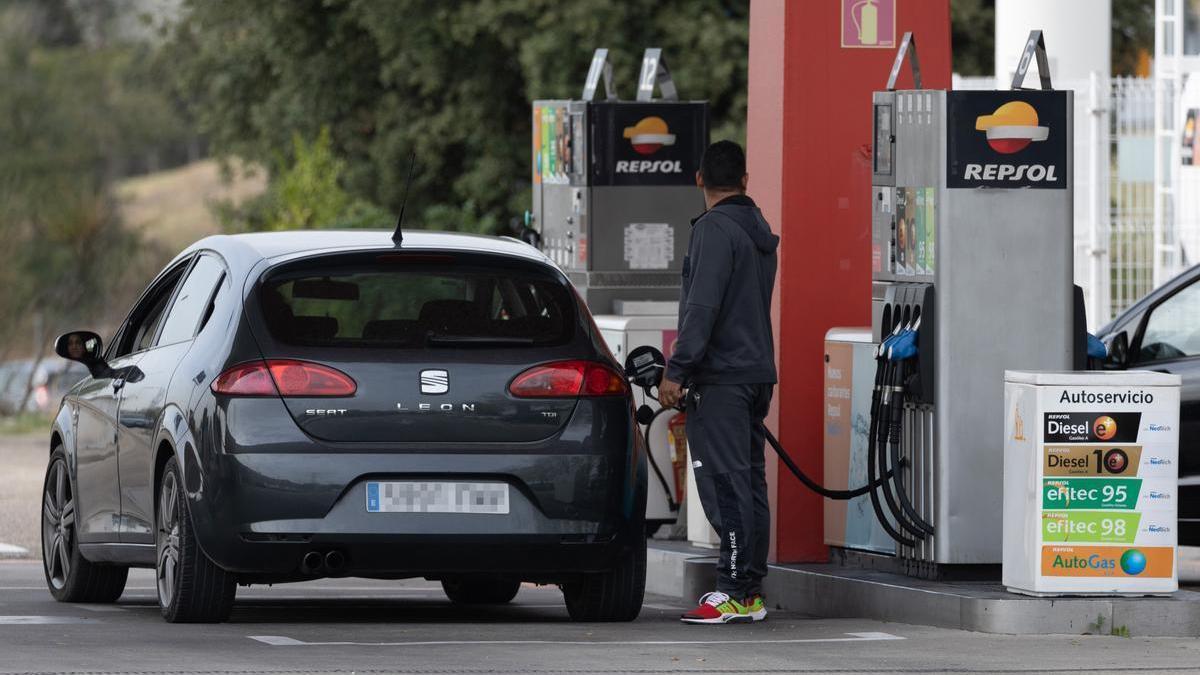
442,303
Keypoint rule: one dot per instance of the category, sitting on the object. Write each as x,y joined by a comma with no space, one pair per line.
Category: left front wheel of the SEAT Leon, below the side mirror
70,577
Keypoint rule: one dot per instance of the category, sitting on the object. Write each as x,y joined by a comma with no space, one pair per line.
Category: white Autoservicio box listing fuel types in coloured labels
1091,489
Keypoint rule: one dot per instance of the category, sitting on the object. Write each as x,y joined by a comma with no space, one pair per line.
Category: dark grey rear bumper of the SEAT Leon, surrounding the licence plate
574,505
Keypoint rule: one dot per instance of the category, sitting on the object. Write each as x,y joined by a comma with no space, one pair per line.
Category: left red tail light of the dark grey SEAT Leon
286,378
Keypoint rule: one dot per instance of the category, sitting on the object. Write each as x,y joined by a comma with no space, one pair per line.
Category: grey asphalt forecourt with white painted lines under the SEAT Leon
368,626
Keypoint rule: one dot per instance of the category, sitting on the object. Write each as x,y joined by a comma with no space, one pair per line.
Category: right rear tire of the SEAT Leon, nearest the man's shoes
611,596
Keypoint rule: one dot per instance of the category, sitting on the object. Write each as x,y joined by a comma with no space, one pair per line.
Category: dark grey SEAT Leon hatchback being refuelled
285,407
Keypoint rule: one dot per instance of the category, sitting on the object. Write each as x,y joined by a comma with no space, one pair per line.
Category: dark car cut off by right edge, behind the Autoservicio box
1162,332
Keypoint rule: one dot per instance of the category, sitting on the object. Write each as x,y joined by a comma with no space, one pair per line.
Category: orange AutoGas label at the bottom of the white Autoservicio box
1108,561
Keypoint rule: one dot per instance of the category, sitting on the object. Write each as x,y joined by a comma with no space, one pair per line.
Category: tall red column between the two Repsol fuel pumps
808,144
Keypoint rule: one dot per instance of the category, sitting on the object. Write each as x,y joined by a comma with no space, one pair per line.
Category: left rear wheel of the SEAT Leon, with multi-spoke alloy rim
191,588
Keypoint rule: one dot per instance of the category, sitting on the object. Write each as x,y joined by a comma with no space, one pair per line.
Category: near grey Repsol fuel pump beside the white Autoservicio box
973,261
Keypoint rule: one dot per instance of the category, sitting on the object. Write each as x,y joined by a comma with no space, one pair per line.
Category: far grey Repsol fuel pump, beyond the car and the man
615,184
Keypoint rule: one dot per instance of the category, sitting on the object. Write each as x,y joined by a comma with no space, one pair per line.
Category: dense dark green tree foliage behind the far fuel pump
449,82
